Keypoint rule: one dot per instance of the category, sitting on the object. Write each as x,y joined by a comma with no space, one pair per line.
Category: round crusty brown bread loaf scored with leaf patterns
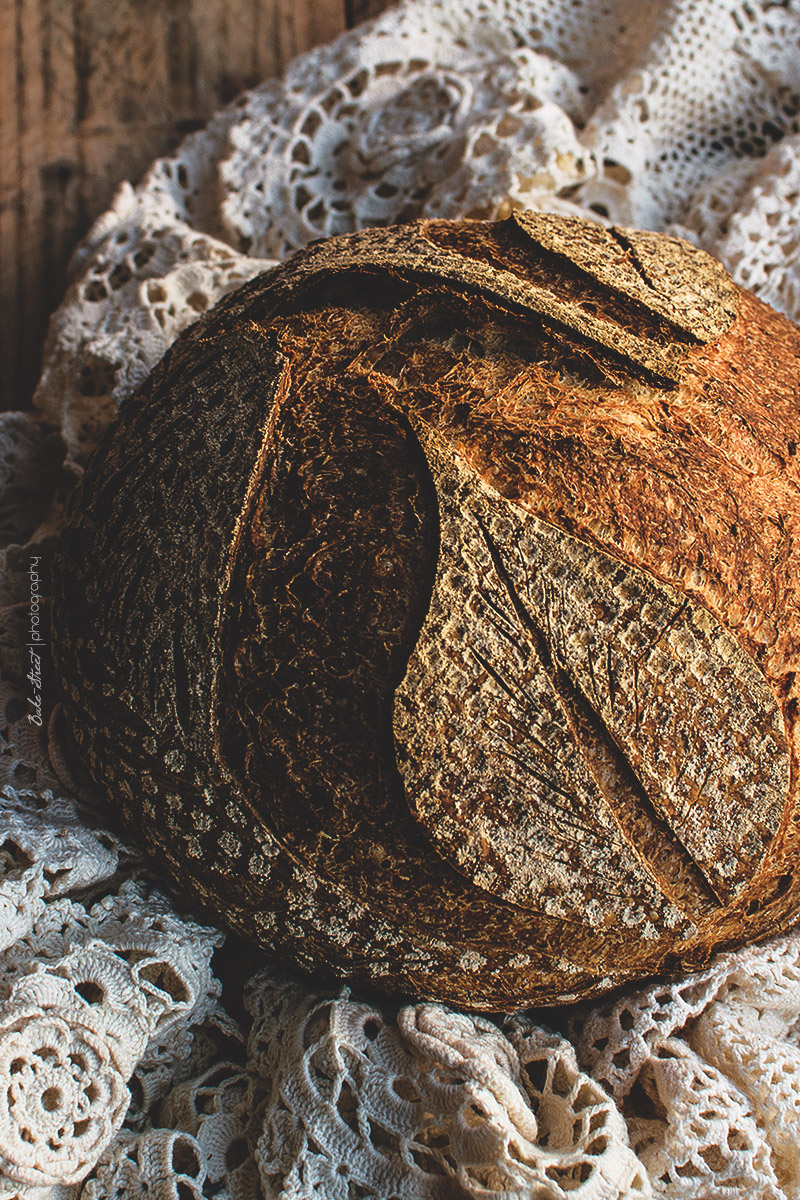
432,613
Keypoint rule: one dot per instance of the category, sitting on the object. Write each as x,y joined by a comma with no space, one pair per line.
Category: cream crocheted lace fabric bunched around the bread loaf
139,1057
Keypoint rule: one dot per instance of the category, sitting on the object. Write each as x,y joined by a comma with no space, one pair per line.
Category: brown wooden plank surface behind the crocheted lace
91,93
